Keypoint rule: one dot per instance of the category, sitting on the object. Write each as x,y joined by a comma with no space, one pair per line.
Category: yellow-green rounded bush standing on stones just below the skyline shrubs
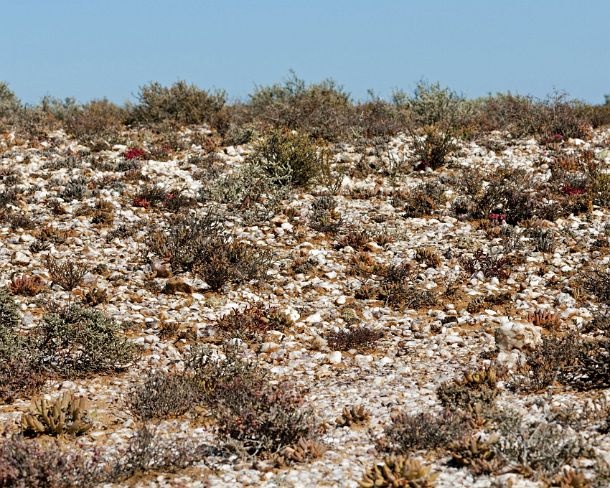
289,158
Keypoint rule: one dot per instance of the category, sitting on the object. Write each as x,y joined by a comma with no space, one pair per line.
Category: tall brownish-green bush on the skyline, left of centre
180,103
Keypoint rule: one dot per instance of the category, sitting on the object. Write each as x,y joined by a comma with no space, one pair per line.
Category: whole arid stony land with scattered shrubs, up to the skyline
330,294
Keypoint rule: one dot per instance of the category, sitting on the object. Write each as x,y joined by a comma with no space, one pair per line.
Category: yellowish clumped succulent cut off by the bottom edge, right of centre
397,472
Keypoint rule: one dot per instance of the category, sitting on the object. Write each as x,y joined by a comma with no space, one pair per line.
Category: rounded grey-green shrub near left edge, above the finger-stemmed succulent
76,340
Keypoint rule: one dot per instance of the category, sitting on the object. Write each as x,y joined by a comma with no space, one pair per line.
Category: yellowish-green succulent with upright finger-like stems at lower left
66,415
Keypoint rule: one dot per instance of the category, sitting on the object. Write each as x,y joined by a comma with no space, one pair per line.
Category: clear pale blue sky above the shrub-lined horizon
96,48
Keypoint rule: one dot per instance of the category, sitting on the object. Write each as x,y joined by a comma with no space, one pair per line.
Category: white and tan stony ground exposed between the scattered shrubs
314,278
